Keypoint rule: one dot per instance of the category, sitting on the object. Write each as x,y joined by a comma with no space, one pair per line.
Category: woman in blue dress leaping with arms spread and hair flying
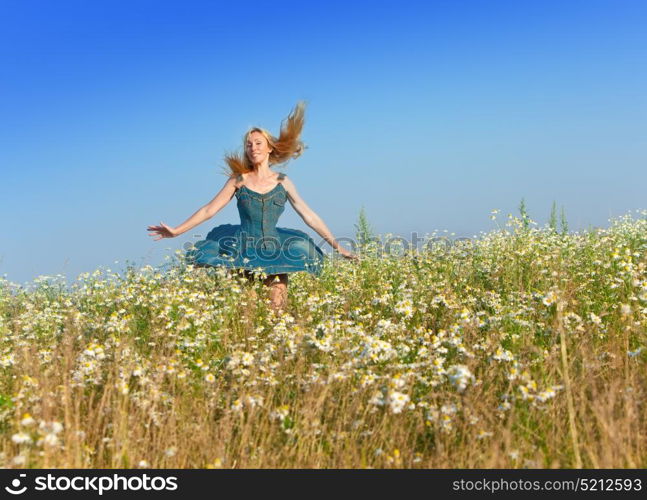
256,243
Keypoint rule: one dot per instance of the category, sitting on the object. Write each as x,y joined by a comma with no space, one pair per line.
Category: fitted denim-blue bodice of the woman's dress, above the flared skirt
259,213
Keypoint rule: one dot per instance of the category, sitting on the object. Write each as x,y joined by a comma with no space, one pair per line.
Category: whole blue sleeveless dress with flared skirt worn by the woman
256,242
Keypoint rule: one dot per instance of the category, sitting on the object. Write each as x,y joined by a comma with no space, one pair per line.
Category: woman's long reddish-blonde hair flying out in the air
287,146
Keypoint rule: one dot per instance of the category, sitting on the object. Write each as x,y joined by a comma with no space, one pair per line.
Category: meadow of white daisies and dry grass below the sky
523,348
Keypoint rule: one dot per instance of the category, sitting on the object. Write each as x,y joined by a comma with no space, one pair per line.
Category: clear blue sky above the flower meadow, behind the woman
116,115
